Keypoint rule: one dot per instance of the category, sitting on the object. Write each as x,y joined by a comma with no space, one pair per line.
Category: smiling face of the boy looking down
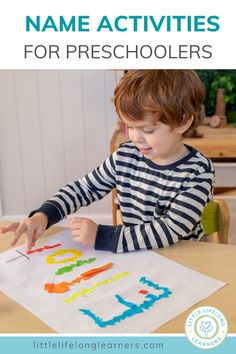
156,141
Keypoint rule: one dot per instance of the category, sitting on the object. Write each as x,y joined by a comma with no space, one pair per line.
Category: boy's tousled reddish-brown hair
170,96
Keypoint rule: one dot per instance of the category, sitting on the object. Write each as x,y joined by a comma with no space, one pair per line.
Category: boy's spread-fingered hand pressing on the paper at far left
32,227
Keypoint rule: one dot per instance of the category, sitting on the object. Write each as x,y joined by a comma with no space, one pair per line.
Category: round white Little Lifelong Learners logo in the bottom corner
206,327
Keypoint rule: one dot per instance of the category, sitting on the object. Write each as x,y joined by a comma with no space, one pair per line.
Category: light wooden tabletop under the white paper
215,260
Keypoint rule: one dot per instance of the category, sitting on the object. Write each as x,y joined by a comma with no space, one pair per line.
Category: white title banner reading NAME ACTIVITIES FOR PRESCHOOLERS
103,34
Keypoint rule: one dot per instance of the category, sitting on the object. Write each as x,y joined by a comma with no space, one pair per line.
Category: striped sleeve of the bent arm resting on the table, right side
180,221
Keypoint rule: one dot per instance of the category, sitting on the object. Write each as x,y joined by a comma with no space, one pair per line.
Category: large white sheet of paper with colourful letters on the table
23,280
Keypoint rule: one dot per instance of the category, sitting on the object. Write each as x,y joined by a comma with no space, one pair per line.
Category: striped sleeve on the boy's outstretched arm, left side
80,193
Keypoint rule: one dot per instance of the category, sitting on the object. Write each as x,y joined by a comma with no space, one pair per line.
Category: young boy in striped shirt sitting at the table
162,184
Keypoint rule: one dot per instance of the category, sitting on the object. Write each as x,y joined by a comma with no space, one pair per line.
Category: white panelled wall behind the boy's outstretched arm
55,126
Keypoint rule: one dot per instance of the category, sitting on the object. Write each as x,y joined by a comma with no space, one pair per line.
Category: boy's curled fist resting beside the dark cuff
84,231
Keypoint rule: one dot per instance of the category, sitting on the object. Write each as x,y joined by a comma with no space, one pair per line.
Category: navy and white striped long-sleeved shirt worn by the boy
160,204
